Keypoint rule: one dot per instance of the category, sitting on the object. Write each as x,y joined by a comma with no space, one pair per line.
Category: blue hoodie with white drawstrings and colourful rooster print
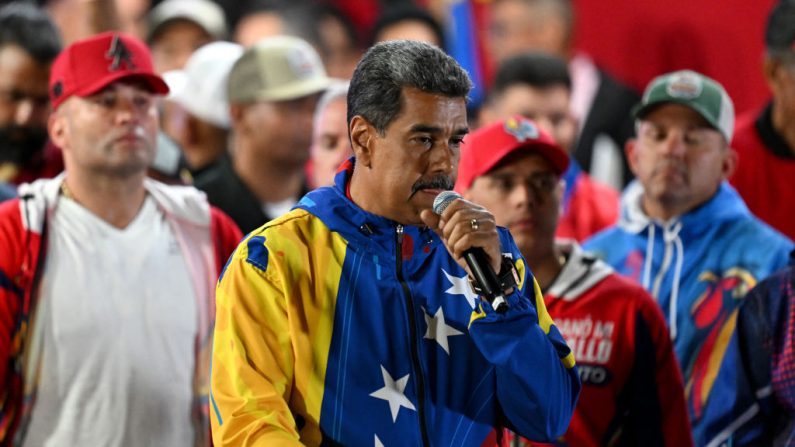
698,267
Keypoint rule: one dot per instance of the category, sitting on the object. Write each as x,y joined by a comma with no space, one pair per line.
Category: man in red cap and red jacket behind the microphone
632,388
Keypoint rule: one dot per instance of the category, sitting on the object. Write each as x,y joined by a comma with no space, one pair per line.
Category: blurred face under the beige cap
280,131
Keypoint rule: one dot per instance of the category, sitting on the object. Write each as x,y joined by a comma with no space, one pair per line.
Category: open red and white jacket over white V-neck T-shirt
206,237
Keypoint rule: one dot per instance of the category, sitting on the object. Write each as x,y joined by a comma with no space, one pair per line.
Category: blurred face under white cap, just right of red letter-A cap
175,43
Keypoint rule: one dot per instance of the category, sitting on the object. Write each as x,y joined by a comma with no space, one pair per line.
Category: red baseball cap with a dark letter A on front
87,66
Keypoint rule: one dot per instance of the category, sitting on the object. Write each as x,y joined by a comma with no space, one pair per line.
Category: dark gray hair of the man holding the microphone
388,67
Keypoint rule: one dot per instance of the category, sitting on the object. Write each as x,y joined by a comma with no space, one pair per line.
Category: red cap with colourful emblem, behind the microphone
487,146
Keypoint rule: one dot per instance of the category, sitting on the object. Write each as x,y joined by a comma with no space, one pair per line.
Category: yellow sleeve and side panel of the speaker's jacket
272,335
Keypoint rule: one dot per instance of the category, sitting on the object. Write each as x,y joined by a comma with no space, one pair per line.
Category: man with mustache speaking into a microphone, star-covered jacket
353,319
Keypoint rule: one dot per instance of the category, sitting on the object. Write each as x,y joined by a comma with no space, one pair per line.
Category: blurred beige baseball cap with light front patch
278,68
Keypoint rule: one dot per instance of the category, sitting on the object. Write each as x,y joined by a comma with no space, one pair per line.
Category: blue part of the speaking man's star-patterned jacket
502,366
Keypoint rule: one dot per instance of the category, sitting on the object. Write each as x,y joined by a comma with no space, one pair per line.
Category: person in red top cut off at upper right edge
765,140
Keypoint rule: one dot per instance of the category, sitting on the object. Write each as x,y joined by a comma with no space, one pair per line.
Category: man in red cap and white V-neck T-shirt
106,277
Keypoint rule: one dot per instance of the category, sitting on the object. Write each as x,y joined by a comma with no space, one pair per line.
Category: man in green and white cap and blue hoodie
686,235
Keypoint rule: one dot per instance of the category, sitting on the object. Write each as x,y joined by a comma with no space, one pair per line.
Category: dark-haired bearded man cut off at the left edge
29,42
